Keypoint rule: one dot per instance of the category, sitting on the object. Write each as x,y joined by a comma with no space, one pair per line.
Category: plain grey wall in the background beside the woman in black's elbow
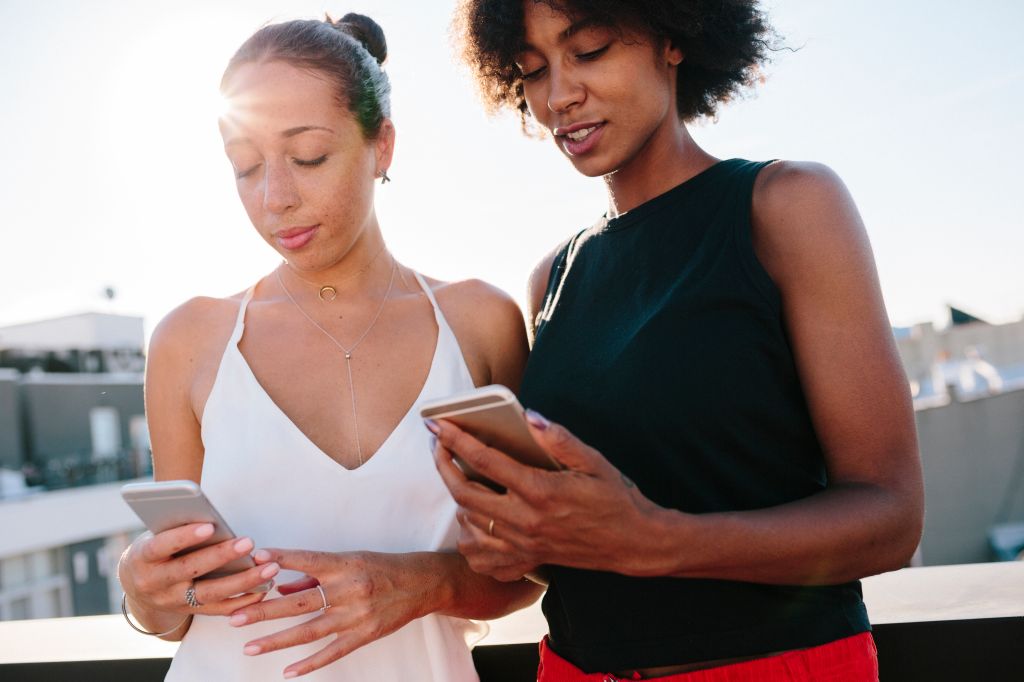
973,456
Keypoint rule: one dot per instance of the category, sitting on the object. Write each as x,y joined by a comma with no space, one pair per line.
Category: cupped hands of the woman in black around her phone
589,516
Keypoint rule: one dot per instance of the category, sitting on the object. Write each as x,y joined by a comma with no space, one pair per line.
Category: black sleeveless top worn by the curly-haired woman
661,344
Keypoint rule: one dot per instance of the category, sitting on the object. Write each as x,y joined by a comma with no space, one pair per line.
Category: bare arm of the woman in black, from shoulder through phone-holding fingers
868,521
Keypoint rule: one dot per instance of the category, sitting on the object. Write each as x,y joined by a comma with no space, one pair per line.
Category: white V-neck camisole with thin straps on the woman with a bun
271,483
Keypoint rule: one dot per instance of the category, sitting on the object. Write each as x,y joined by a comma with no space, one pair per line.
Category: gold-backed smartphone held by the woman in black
493,416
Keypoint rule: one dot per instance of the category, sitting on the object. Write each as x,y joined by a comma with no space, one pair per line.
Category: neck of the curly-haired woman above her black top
669,158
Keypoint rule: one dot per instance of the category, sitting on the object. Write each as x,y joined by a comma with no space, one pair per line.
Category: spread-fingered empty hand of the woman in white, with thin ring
370,594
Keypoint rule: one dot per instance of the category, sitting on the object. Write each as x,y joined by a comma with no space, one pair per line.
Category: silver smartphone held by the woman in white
168,504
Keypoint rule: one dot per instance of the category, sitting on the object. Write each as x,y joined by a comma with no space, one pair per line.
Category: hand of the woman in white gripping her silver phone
156,581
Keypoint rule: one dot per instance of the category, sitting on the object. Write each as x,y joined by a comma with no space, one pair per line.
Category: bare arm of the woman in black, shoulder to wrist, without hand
812,241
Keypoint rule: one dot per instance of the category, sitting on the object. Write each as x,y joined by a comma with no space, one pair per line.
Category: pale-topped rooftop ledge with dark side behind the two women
936,623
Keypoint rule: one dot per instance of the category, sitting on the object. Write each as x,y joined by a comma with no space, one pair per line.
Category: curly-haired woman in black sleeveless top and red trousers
714,363
